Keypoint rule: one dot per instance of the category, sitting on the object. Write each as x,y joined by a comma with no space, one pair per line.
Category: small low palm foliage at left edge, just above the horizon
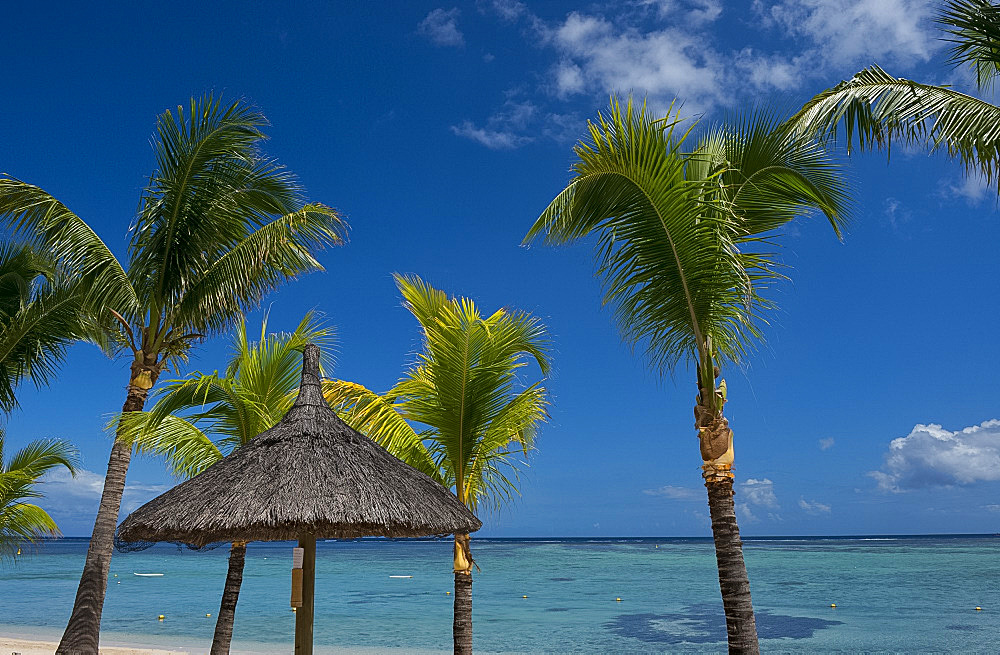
23,522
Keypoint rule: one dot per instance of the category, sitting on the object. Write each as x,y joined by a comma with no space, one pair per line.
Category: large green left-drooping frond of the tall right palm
668,261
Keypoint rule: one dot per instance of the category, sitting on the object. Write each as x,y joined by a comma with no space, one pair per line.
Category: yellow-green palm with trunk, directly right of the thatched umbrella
465,391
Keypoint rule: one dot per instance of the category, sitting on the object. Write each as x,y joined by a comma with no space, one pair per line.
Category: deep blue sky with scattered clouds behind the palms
442,130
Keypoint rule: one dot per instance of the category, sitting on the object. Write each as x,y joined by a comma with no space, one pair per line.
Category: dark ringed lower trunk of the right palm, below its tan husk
741,626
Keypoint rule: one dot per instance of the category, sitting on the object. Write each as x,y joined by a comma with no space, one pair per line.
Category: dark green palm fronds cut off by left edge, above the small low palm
41,314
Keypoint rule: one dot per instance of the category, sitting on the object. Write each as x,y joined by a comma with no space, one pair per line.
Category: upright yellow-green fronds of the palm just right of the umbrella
464,388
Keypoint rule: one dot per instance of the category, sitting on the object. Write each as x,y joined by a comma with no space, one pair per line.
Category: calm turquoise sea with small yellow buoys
906,594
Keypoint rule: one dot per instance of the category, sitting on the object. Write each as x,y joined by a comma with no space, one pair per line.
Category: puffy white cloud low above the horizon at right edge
931,456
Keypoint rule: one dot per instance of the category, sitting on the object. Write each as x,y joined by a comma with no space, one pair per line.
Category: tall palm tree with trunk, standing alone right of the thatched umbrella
679,248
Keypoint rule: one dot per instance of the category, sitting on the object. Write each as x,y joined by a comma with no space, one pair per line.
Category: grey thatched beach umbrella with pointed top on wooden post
309,477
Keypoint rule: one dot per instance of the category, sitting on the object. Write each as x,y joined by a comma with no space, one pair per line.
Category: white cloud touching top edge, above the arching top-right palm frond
852,32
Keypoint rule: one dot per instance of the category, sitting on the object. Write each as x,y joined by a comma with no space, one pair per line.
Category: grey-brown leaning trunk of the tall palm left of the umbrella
83,631
